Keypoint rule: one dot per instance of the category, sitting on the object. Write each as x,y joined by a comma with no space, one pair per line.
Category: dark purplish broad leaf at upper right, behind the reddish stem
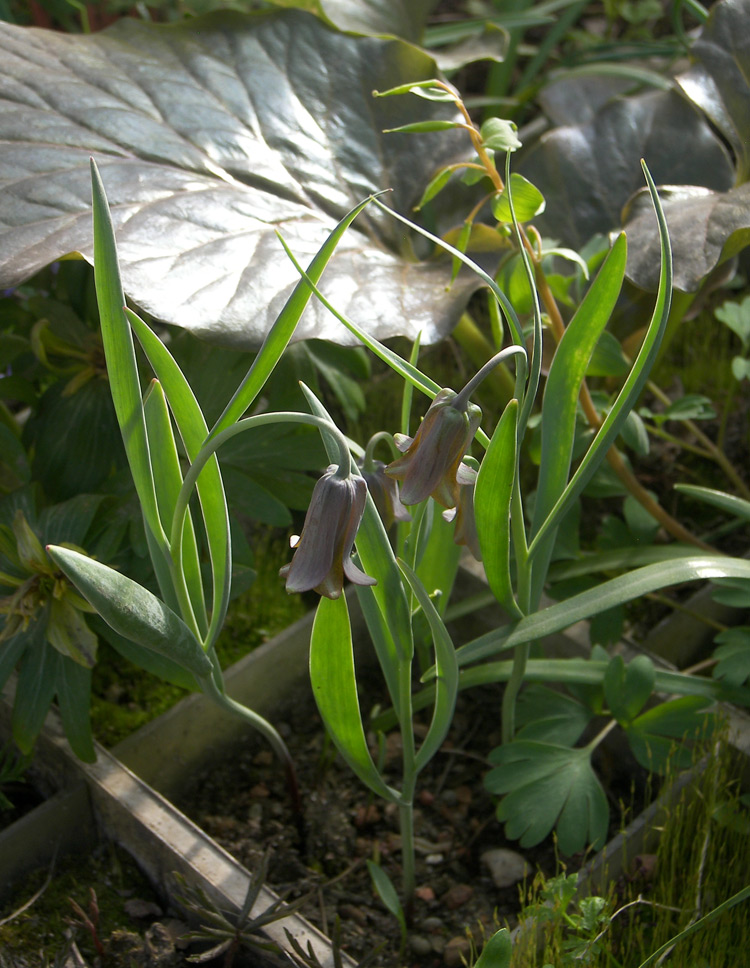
588,171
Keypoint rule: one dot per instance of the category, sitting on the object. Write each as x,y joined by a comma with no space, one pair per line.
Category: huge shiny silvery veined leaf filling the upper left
210,136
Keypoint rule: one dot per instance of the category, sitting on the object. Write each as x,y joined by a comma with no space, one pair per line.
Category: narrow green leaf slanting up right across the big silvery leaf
283,328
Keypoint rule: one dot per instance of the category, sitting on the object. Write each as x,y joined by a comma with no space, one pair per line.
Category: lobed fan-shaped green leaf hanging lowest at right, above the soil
546,787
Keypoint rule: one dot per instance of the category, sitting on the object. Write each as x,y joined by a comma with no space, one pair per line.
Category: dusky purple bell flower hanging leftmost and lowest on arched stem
322,557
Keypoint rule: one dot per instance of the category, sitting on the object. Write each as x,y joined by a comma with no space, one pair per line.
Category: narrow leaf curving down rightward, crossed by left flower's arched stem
193,430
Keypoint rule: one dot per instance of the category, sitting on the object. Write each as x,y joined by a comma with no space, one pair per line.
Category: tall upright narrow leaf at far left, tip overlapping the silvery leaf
119,352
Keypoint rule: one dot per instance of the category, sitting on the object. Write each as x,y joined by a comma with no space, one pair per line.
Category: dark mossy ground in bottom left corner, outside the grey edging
39,933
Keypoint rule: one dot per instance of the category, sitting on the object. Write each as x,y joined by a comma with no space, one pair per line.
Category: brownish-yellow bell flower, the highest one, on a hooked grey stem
432,462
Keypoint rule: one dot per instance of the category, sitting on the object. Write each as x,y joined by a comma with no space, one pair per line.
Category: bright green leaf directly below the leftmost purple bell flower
334,686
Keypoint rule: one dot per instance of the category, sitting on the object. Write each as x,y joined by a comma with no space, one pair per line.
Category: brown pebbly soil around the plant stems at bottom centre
244,805
